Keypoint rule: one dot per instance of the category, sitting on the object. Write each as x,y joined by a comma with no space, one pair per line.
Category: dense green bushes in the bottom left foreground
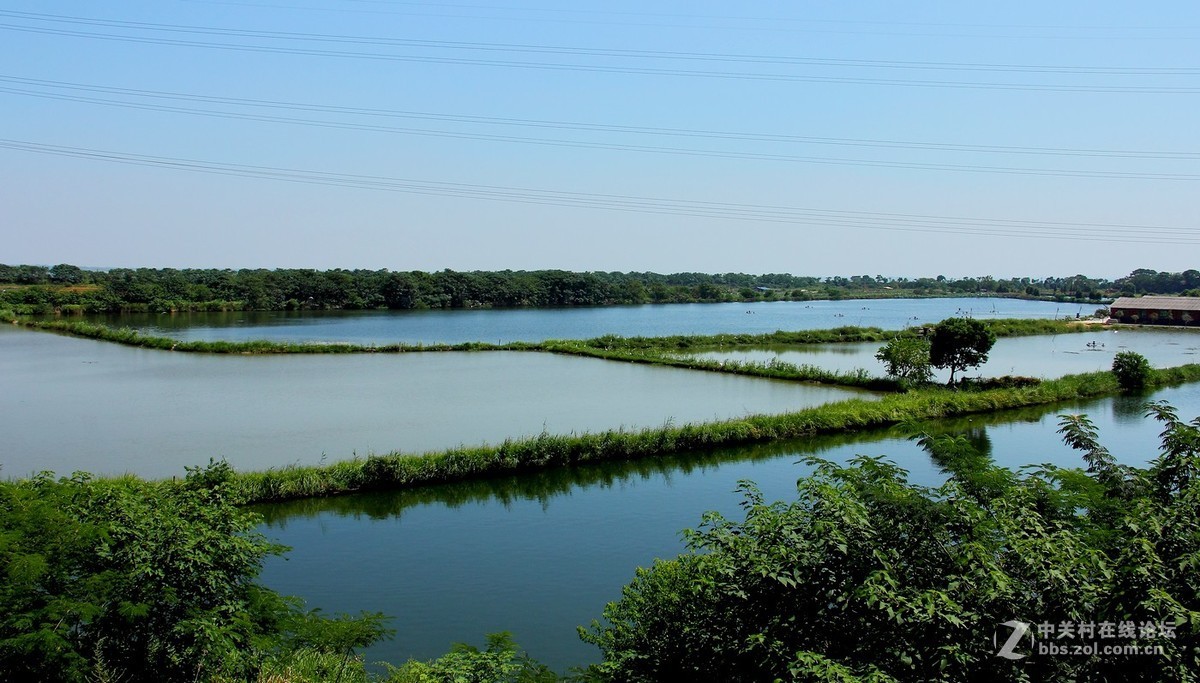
134,582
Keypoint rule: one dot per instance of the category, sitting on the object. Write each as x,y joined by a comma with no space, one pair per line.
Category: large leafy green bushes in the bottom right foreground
869,578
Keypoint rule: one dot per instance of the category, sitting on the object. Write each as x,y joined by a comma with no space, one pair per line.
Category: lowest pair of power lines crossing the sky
788,215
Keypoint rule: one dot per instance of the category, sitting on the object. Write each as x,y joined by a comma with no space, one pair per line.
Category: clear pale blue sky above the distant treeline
815,139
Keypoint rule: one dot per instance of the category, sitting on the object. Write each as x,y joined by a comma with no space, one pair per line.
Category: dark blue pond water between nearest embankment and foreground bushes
541,555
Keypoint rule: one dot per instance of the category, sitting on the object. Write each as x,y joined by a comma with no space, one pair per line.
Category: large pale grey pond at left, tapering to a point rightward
71,404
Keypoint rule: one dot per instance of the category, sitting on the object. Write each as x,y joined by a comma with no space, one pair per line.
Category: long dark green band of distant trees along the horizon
38,290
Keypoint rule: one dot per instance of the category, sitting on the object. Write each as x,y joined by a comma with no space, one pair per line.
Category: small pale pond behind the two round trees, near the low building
1051,356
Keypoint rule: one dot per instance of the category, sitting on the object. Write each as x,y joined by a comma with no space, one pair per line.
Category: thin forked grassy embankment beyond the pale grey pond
650,351
